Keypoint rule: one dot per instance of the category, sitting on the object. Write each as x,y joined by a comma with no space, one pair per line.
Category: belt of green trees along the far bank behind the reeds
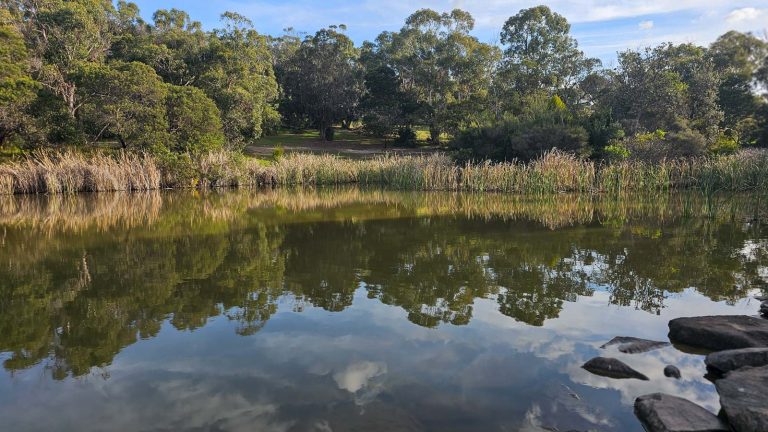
76,72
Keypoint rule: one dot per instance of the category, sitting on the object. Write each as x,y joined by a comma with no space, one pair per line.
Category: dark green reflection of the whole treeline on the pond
79,296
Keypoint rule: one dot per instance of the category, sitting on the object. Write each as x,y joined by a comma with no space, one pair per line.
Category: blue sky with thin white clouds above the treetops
602,27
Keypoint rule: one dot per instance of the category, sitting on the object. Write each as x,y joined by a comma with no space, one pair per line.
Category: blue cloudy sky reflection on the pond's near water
370,367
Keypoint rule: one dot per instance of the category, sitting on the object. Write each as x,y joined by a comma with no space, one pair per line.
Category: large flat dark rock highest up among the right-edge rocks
719,333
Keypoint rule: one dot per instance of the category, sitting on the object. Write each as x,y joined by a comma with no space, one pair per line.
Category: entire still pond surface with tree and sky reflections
340,310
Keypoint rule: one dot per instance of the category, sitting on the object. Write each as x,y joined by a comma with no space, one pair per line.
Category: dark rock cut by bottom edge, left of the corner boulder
659,412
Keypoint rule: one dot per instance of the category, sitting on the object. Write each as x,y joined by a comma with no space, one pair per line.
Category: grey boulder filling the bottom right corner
743,398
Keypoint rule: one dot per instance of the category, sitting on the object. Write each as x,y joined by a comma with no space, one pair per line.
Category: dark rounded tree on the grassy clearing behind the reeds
323,80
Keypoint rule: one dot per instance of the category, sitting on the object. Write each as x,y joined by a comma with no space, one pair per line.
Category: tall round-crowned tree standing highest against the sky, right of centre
539,53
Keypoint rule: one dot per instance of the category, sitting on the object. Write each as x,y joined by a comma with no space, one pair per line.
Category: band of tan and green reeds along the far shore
555,172
